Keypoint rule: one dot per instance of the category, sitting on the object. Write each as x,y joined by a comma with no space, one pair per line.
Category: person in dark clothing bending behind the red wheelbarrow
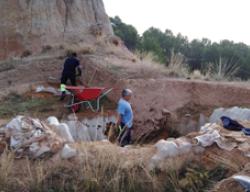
69,72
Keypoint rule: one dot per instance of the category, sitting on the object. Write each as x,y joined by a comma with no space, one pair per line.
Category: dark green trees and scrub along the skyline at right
224,60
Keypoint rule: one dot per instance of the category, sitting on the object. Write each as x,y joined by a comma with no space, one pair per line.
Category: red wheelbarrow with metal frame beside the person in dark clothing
81,95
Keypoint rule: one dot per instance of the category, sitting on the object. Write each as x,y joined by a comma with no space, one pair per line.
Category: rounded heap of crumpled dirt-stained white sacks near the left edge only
28,134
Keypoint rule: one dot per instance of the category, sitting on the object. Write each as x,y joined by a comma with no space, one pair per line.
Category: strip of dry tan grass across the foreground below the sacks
103,167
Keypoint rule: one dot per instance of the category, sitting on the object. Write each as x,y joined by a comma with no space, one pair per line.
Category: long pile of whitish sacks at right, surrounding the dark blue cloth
209,134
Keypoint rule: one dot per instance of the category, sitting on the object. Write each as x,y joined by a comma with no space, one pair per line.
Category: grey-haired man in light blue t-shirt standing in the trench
125,117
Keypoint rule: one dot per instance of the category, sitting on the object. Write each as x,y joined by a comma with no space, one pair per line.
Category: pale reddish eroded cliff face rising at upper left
33,24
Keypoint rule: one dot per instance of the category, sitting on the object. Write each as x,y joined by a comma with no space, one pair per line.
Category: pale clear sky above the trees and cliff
213,19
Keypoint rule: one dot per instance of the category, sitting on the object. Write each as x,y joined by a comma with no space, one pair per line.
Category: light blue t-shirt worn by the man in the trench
124,109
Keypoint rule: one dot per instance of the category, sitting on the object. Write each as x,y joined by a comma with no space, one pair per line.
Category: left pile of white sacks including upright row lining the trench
35,138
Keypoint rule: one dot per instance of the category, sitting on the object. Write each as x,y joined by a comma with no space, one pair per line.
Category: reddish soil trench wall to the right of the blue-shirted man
164,106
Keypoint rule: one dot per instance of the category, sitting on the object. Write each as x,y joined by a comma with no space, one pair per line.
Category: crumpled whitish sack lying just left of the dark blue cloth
207,139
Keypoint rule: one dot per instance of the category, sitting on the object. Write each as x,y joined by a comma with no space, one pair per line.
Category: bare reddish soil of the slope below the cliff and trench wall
117,68
